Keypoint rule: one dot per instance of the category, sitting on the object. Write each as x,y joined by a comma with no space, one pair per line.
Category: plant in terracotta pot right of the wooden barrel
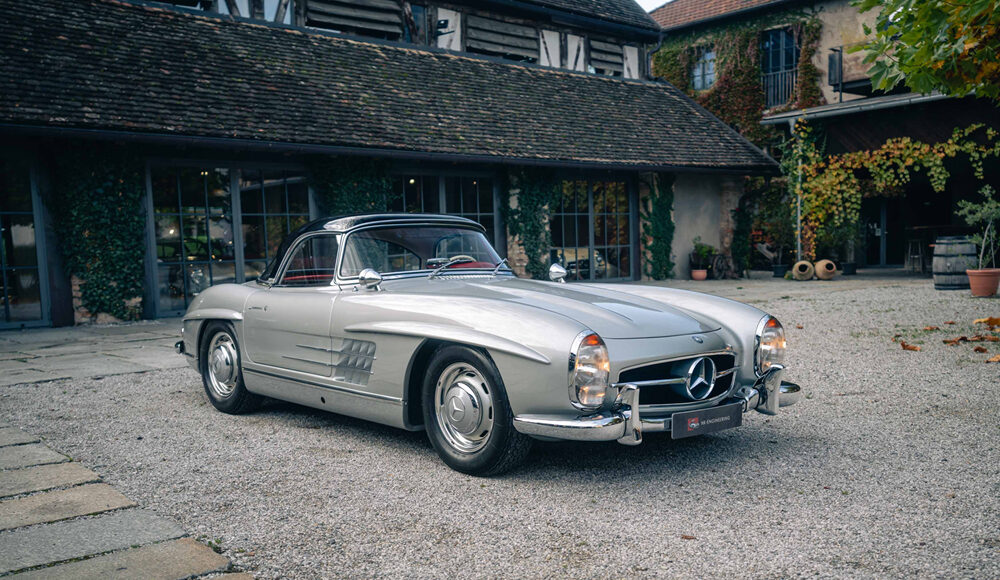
984,215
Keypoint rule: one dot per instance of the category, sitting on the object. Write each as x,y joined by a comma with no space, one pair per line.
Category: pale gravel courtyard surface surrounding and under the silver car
890,466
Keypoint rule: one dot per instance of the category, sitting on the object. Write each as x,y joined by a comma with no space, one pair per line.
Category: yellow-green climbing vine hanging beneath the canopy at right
832,187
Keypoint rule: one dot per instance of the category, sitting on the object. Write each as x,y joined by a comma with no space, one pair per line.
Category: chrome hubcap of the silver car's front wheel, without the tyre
463,403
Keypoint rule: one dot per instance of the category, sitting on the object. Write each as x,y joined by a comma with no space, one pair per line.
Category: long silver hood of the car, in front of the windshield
612,314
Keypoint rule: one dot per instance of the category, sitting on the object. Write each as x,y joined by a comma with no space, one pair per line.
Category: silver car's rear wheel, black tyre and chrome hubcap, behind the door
221,373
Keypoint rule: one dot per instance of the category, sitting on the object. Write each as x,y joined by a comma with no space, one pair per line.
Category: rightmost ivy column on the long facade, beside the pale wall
658,227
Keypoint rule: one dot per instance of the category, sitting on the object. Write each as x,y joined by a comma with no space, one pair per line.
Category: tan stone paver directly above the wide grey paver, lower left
52,506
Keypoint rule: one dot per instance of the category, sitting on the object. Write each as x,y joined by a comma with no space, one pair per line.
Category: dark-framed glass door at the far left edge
21,273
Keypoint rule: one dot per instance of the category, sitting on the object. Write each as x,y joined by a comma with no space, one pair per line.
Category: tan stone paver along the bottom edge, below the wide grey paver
171,560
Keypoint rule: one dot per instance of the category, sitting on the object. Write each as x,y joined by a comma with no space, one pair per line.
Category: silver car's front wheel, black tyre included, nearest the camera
467,415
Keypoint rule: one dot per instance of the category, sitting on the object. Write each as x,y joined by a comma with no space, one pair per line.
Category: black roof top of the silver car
346,224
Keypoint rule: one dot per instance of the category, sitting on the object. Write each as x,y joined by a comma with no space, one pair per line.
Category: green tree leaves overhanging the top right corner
944,45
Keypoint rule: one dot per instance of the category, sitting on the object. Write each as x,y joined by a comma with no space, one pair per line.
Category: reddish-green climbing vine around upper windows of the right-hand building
737,95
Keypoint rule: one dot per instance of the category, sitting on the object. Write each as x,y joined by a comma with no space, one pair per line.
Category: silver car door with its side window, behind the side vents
287,326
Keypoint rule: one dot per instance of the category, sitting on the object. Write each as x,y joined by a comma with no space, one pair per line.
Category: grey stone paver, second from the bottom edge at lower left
39,545
